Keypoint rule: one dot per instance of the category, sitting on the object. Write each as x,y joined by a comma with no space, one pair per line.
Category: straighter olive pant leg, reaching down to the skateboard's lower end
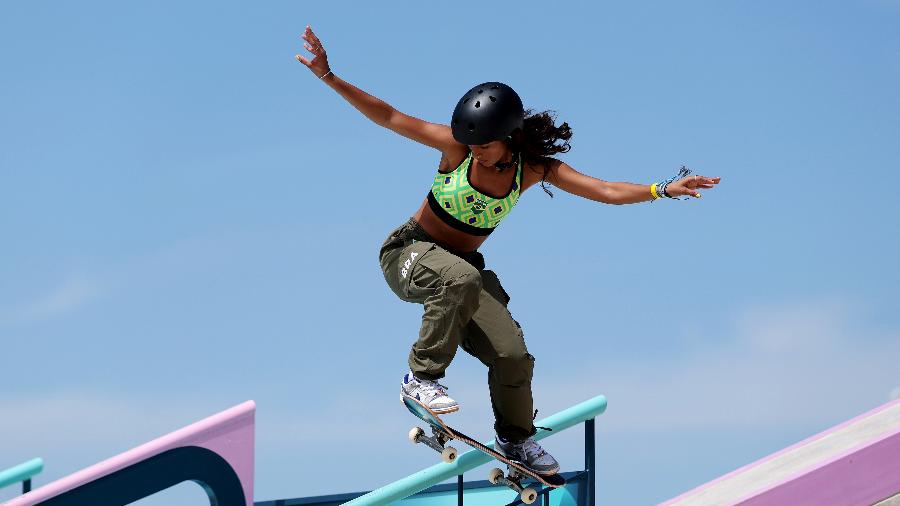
497,340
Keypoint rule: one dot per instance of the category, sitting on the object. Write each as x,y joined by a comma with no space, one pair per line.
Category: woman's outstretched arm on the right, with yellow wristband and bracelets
570,180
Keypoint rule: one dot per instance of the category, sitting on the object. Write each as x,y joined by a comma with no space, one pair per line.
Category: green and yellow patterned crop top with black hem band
460,205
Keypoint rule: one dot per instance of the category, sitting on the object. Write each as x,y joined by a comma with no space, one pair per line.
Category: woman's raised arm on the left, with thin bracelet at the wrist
380,112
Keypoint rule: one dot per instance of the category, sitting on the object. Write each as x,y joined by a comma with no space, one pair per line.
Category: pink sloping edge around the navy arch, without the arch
230,434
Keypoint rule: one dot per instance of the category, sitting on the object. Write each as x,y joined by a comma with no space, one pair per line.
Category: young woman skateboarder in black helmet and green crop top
491,153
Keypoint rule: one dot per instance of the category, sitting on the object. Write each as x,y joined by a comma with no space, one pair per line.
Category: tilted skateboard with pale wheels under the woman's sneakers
443,433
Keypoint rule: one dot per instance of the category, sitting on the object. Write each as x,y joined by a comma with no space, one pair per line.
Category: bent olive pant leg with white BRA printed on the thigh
447,286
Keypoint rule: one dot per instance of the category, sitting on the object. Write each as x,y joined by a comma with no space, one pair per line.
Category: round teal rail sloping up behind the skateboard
469,460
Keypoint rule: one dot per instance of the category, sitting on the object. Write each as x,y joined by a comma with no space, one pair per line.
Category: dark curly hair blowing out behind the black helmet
538,139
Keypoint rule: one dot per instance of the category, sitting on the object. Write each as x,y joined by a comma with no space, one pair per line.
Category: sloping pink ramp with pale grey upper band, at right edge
855,463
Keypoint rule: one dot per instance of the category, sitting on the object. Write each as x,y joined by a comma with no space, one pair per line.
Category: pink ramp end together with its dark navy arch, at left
216,453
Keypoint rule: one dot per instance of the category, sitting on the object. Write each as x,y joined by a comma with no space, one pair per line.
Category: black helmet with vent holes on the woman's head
486,113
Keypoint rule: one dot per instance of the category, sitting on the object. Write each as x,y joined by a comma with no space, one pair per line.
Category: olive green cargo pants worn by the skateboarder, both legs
465,306
